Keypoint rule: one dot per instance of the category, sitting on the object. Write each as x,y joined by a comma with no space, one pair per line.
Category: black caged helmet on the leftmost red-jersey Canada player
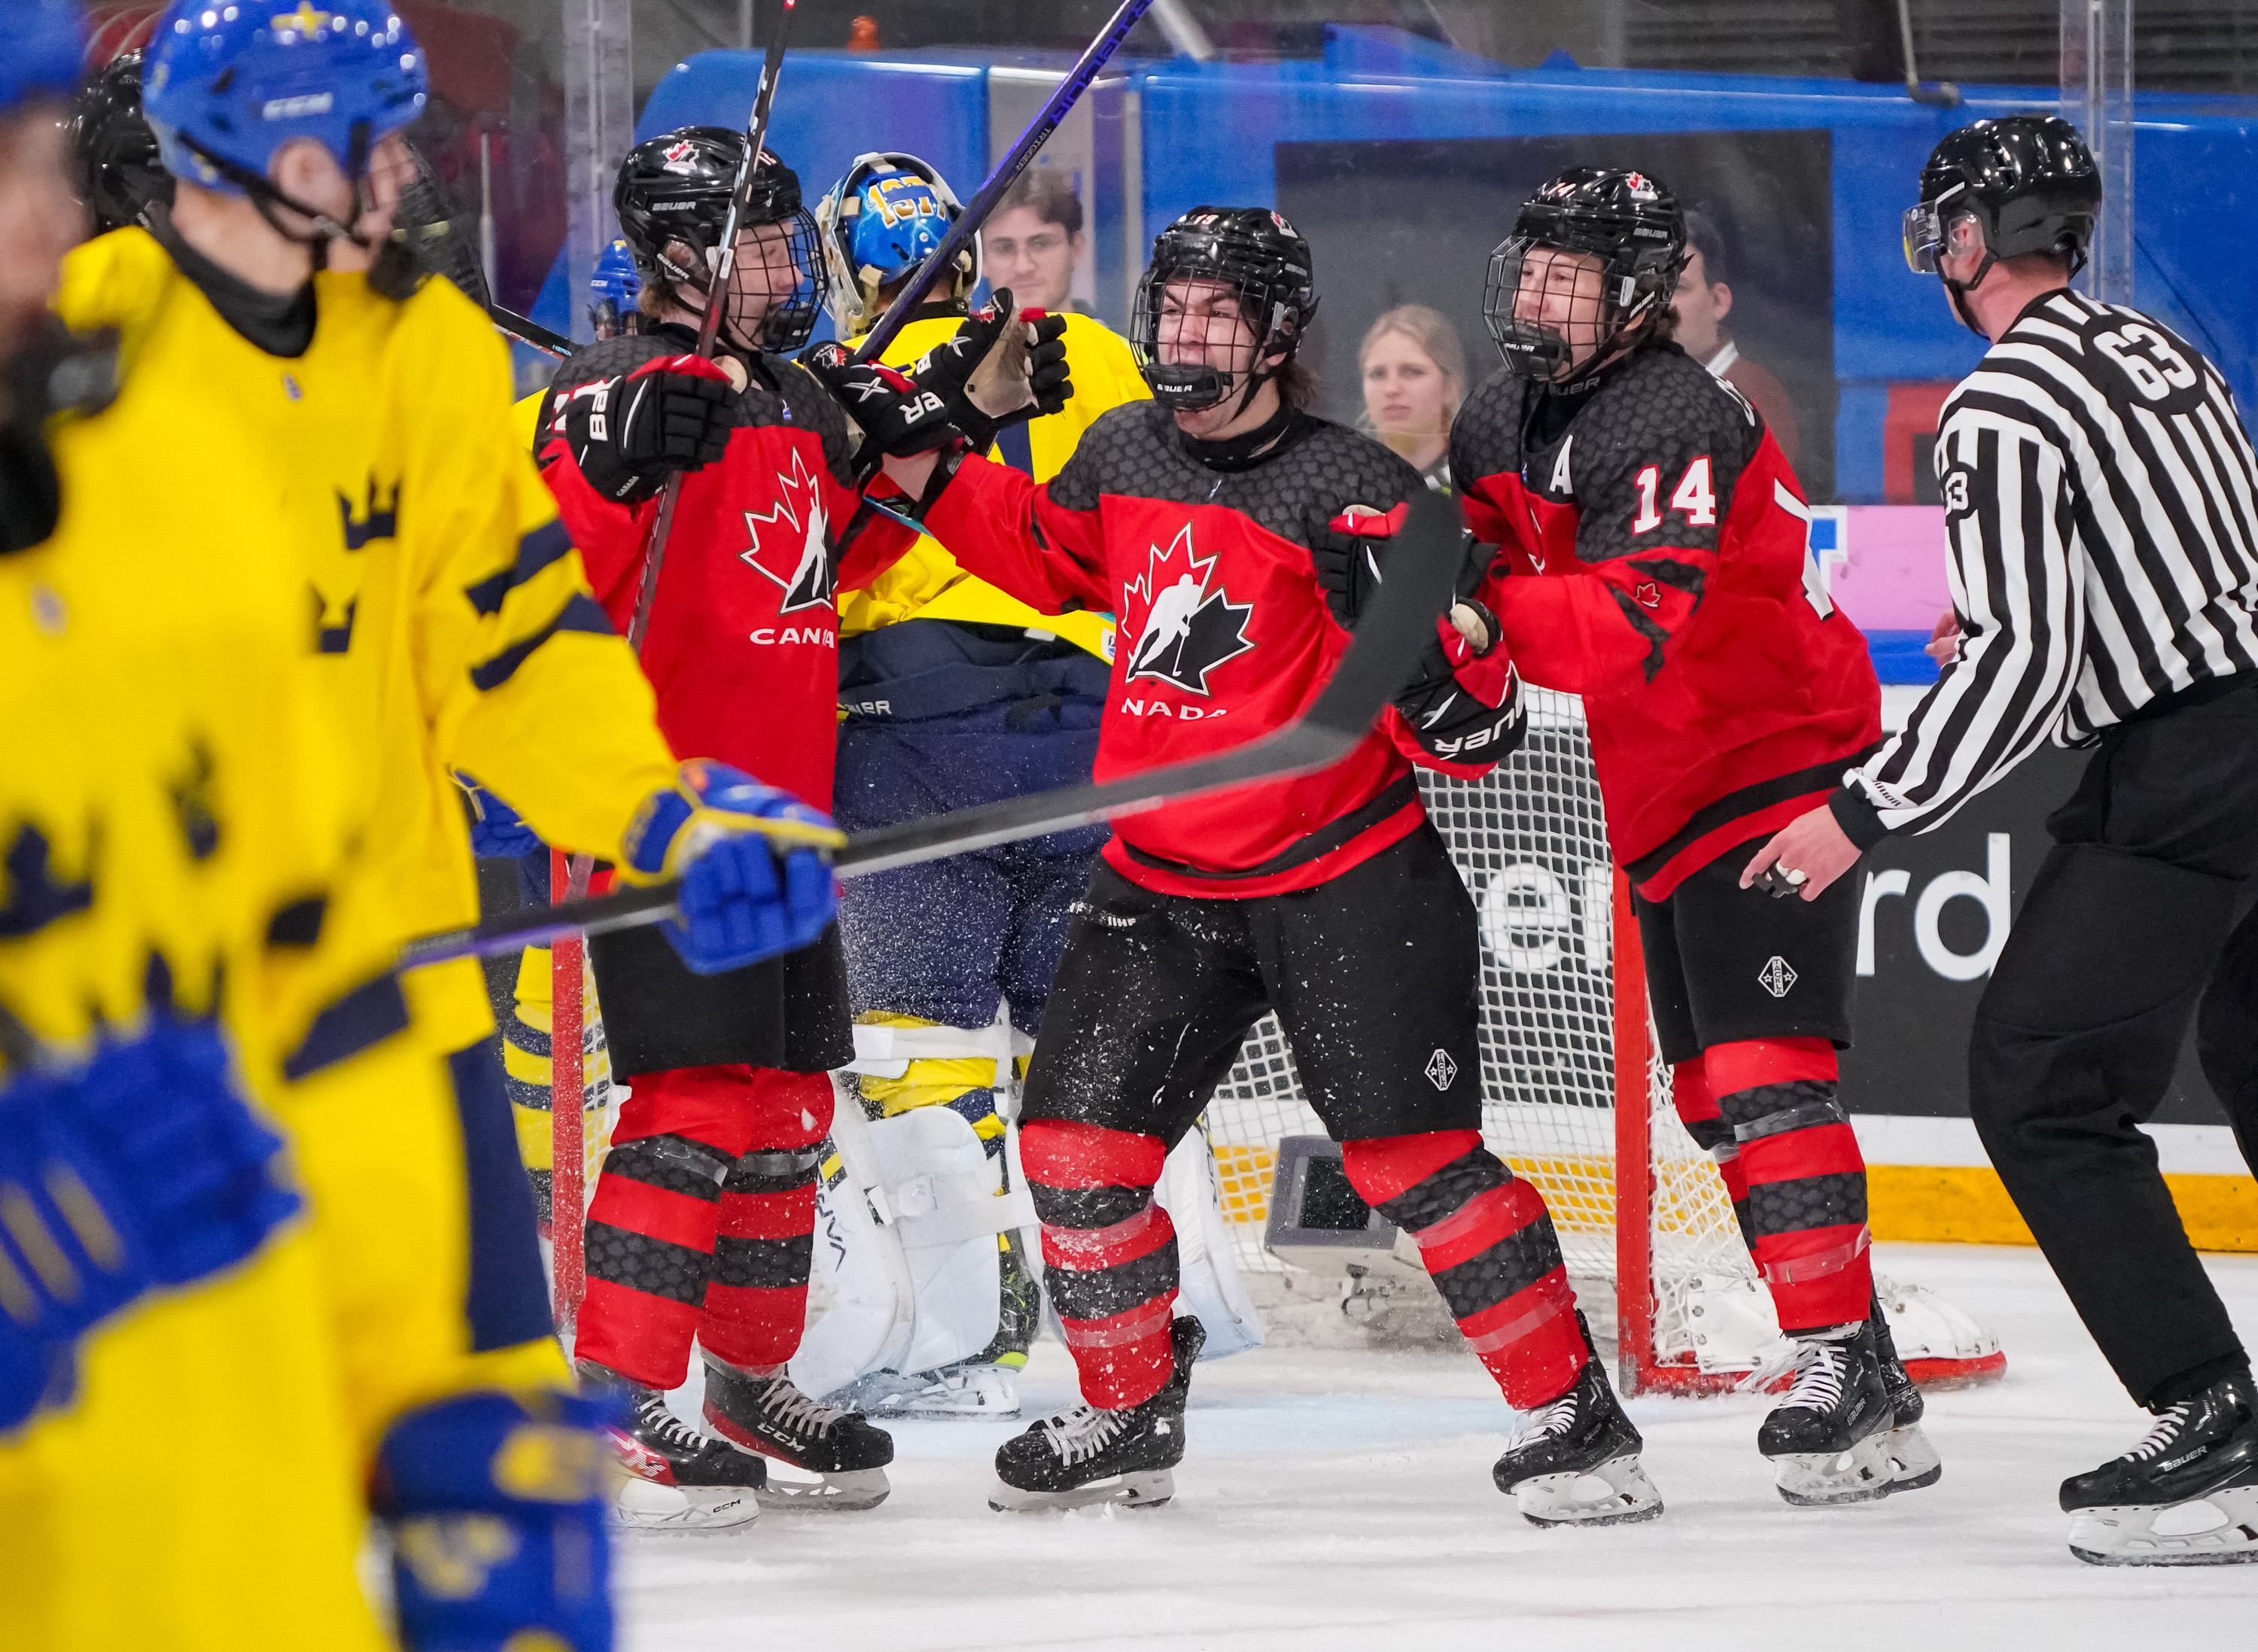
674,193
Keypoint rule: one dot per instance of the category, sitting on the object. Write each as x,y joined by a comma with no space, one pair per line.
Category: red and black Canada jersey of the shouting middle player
1225,633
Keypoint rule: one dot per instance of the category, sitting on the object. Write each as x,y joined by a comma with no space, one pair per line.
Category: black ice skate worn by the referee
2185,1497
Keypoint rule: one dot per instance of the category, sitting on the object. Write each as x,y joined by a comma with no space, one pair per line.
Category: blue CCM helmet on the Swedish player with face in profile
229,82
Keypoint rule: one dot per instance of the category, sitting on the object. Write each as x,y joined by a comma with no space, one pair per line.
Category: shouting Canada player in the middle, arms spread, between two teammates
1239,538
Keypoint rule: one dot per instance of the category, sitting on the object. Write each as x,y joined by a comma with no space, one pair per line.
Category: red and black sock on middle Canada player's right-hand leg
1489,1249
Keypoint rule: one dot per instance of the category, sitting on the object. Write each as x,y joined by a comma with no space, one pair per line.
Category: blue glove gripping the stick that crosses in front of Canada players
755,881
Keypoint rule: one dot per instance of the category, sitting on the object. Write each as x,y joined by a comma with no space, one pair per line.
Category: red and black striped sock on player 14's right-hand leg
1805,1177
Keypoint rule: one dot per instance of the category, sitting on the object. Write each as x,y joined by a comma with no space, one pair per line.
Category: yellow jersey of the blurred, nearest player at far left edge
159,759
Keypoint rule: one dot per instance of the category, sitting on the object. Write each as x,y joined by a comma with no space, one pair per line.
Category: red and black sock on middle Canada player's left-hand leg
1110,1254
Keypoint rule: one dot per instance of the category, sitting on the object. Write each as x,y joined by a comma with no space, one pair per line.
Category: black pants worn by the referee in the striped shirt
2081,1028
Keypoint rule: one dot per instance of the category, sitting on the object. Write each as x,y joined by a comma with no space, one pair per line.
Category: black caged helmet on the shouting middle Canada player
1259,256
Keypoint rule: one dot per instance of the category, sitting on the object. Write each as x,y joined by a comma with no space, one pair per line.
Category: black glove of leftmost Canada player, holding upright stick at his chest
633,432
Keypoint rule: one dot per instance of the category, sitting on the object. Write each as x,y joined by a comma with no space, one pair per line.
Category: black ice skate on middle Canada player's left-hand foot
1103,1457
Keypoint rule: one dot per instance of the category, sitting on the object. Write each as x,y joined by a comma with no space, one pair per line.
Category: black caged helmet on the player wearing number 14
1629,222
